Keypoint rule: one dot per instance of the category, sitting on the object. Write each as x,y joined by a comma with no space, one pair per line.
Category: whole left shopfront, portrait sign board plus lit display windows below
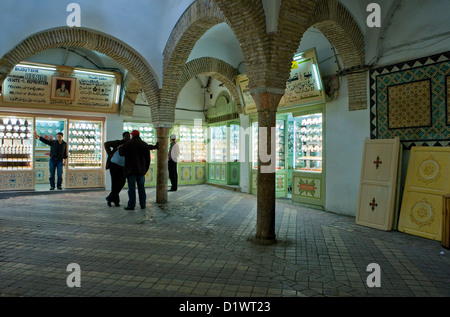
32,94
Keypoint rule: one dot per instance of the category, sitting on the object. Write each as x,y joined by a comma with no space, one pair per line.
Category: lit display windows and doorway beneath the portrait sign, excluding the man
24,161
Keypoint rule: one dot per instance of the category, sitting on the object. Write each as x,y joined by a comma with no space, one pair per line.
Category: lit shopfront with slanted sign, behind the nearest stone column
300,134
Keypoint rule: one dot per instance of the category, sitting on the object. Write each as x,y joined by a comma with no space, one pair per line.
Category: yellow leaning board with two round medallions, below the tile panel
427,181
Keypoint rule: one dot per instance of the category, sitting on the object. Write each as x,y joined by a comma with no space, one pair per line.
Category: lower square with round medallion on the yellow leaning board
421,215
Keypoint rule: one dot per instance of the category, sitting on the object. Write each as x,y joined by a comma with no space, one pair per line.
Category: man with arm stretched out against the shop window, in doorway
58,157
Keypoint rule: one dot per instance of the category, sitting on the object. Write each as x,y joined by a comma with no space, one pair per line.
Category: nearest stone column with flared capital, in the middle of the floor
267,101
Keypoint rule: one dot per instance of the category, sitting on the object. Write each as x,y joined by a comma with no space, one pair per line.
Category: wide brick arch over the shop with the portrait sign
85,38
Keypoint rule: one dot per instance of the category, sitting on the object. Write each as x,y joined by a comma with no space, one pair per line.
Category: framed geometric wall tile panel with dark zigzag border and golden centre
403,105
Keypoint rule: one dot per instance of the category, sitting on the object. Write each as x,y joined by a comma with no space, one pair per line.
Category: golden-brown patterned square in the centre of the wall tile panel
409,105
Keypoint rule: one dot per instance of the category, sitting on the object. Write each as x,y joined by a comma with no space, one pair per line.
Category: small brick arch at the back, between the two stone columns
216,68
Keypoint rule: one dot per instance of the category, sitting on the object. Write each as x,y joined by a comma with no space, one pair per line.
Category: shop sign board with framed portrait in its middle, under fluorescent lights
63,88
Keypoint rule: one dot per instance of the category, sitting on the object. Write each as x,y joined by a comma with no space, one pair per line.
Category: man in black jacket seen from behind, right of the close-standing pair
137,163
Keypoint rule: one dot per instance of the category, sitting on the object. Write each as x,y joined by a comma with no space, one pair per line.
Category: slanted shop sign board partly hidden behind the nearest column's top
304,86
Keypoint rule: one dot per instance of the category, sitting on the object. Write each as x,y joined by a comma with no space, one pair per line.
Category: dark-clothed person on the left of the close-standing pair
115,169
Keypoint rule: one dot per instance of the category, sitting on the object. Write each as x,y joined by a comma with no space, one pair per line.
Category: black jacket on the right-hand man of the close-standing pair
137,156
